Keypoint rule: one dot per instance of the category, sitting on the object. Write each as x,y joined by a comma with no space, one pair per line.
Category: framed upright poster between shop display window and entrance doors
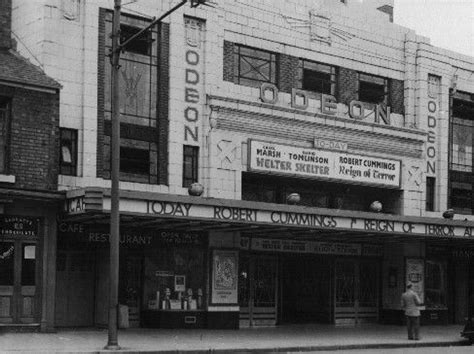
224,277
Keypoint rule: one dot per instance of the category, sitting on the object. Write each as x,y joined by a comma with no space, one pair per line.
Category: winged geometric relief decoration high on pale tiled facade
320,26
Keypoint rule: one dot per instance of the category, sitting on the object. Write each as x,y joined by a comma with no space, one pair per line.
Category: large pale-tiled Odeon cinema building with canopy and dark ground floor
333,146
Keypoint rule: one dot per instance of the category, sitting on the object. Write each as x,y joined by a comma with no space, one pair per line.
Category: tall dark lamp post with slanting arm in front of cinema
117,47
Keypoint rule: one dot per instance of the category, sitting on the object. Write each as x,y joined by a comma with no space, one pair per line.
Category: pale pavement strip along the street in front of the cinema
281,339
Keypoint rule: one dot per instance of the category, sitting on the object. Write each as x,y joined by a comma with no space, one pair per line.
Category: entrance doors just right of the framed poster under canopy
258,290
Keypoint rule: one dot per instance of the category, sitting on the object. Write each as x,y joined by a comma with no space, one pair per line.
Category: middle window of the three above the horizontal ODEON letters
317,77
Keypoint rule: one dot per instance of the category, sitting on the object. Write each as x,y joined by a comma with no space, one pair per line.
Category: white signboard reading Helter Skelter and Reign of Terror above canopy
329,165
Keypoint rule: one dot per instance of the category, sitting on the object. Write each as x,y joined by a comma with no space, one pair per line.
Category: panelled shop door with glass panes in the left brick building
17,282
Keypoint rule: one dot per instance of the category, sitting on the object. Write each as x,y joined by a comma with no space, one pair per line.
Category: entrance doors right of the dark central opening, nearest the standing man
356,293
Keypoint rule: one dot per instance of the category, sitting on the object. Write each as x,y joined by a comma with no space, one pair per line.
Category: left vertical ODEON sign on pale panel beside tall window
193,79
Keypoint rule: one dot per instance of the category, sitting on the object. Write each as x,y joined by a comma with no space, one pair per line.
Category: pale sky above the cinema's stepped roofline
449,23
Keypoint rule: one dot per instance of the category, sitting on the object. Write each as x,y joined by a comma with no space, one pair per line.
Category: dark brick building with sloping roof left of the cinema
29,197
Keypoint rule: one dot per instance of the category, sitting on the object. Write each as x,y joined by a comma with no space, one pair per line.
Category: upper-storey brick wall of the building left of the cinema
34,140
